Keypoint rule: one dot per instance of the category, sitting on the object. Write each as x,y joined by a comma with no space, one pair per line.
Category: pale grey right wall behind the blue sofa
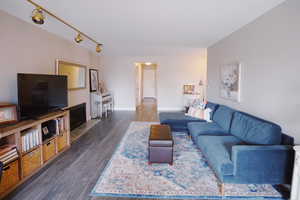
269,50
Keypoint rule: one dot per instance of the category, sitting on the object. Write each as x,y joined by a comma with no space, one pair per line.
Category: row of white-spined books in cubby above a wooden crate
30,139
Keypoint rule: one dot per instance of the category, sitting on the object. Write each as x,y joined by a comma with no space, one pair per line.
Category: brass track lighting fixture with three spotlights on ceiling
38,17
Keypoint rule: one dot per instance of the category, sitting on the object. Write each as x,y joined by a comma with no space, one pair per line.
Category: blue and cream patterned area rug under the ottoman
129,175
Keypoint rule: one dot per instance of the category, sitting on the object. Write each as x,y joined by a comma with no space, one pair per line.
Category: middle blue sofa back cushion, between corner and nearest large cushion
223,116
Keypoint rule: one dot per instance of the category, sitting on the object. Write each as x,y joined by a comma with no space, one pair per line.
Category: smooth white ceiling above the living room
141,23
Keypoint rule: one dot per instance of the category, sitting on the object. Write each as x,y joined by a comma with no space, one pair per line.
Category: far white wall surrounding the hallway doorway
175,67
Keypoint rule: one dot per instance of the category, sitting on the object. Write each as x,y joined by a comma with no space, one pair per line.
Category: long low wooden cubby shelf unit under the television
32,158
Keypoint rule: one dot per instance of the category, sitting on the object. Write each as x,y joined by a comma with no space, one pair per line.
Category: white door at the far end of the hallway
149,83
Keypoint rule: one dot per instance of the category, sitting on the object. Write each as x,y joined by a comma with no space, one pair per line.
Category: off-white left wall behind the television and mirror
26,48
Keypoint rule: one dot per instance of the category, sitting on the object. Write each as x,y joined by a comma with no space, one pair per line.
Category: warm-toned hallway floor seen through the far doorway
147,111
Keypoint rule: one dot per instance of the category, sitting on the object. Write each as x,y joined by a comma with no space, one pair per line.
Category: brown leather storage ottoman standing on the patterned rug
160,144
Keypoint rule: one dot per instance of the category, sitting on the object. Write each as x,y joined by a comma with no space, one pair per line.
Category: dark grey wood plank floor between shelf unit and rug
73,174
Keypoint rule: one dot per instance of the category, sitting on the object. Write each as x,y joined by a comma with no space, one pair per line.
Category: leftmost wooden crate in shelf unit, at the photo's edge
10,176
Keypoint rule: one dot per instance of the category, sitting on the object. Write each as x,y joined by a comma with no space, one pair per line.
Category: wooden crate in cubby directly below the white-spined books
31,161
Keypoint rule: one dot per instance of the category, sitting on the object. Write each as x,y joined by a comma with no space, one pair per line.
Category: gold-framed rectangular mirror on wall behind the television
76,74
